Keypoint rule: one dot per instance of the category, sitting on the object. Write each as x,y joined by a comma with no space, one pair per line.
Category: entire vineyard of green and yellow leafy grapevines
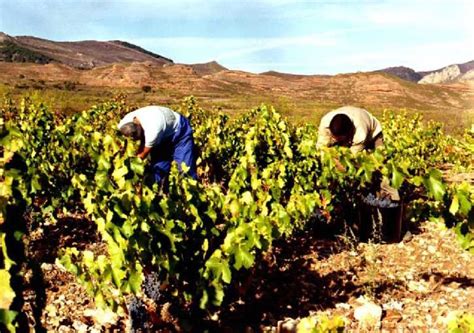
191,246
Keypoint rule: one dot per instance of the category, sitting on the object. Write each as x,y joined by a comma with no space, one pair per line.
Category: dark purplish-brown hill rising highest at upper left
82,54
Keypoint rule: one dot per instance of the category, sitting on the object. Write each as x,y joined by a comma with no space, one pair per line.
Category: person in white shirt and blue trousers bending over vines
165,135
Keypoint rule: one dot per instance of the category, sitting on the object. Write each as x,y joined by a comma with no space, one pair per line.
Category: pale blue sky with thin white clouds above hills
307,37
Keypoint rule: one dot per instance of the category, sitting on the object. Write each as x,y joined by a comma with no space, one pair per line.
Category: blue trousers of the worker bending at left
179,148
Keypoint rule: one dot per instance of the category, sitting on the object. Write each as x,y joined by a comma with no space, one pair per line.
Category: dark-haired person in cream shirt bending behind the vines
356,129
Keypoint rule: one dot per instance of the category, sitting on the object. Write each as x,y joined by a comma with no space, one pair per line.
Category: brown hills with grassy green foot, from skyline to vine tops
78,74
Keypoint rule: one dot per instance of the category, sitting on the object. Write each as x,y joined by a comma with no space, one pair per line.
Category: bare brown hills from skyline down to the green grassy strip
118,64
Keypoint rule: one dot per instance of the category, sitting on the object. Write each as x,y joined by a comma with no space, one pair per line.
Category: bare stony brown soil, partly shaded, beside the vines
416,283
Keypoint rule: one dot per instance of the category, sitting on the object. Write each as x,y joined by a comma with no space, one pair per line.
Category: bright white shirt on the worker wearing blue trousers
158,123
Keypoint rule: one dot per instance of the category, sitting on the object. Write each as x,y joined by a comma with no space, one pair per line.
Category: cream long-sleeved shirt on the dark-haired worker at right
367,127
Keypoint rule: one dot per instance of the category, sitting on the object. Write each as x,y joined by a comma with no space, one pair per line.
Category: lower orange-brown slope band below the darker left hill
363,89
